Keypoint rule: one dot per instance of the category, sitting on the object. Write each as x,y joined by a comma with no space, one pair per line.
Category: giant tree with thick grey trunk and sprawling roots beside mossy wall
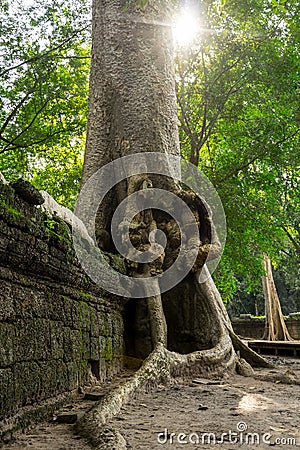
132,110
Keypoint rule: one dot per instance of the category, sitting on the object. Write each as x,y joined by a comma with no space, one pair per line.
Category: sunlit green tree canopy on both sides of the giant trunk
238,90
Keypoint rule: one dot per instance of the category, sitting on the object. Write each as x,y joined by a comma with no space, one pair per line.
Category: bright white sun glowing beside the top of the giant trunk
185,28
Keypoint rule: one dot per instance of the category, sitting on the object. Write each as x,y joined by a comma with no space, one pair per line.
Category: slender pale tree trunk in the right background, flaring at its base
275,327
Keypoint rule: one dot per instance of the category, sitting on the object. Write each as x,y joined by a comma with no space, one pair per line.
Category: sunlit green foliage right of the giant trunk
238,95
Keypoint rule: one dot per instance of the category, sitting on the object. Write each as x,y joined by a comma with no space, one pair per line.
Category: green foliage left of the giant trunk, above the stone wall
44,66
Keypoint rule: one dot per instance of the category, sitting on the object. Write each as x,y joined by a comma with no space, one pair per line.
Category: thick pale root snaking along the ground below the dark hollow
160,366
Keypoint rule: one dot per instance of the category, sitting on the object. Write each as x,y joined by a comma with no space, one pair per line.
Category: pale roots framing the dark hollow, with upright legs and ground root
162,365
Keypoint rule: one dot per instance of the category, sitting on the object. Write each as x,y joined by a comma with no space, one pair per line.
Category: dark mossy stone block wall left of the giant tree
56,326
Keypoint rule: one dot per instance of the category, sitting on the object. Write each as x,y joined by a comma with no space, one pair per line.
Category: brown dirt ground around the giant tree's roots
236,413
